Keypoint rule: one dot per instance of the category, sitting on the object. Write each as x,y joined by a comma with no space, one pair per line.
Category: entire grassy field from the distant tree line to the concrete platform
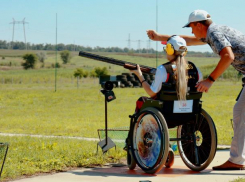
29,105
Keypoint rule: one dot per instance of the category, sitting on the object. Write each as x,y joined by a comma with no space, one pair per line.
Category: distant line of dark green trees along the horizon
73,47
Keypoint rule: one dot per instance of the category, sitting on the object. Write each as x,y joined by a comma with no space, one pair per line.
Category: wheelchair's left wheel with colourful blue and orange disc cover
150,141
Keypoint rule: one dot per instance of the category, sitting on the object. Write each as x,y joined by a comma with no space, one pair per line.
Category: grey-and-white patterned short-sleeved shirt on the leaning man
219,37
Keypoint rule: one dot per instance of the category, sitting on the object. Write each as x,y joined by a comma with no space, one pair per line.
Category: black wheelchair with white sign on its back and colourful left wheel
148,142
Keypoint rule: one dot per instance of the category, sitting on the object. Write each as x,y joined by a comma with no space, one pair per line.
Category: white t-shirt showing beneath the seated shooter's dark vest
161,77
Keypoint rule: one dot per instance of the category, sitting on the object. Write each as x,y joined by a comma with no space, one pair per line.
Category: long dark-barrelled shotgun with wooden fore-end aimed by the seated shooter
125,64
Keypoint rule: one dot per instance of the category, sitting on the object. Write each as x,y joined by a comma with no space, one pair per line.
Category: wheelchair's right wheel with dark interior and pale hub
198,157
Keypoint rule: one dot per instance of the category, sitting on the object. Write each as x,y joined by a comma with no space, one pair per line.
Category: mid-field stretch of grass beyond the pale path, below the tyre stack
70,111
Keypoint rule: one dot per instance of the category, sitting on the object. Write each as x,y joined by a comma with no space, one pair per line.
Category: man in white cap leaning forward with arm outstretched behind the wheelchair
229,44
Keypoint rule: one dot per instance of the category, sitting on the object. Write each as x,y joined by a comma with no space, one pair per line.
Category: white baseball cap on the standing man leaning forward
197,15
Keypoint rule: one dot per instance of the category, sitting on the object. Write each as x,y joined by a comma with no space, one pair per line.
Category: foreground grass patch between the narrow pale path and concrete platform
28,156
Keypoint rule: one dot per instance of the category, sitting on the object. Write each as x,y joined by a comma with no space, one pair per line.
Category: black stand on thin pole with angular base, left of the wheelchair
107,143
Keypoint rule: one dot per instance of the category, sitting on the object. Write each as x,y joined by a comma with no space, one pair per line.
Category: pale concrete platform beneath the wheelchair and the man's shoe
179,172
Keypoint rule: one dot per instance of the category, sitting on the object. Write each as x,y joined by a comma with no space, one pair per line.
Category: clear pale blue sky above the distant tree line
108,23
